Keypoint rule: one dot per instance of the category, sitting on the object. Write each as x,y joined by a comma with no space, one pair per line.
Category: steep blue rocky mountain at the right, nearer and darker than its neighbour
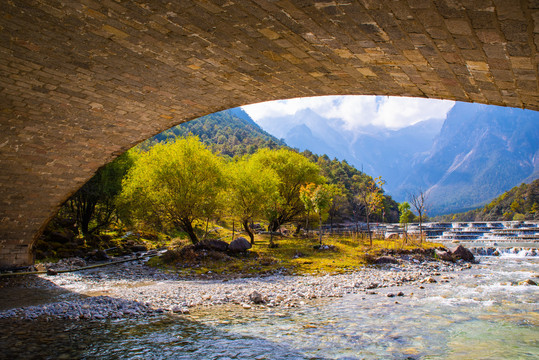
481,152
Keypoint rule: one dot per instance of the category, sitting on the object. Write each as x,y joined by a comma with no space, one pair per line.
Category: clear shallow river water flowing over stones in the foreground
480,314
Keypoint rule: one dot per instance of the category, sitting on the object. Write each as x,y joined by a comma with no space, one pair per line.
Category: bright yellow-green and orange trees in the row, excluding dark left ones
175,185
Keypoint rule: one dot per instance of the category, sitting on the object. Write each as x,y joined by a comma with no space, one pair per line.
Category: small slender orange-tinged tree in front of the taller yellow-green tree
318,198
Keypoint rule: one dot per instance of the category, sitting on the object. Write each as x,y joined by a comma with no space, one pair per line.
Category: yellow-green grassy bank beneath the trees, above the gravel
292,256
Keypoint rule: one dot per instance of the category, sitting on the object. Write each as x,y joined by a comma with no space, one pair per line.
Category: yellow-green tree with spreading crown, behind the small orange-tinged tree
293,171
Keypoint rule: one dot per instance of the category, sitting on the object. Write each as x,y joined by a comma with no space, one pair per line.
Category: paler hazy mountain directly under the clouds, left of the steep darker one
374,151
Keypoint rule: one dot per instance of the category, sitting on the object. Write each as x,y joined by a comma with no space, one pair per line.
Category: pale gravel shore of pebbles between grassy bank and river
133,289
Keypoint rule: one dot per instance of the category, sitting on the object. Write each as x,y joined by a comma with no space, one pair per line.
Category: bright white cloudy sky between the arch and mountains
357,112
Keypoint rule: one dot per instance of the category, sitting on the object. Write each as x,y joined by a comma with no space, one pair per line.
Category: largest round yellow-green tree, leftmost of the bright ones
174,184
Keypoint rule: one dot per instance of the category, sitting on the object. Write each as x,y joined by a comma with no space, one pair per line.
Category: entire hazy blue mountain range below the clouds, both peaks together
478,152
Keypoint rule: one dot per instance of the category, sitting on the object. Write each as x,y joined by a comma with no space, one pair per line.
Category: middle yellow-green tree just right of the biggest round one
251,188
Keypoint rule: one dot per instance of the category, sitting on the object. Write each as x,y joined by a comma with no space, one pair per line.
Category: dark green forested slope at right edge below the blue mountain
519,203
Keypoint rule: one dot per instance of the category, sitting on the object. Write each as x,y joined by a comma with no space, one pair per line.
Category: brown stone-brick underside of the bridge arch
81,82
